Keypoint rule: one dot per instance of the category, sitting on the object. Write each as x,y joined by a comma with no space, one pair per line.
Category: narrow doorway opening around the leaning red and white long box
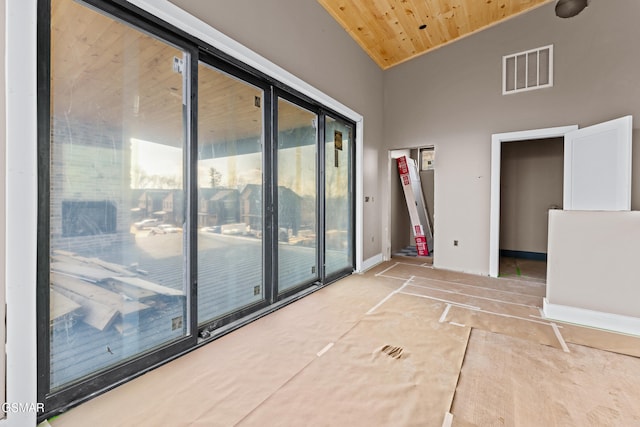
400,237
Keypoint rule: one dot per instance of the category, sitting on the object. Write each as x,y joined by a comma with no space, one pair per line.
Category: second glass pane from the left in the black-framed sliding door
230,140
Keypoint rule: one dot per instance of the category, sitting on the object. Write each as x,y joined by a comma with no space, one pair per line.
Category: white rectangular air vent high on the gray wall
529,70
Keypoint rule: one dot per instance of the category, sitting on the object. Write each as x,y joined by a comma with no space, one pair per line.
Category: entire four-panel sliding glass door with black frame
181,194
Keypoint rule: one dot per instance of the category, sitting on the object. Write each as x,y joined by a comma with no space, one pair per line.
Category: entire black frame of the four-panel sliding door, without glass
94,385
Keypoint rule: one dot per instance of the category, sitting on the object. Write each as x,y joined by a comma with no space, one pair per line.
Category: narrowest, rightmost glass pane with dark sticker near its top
338,196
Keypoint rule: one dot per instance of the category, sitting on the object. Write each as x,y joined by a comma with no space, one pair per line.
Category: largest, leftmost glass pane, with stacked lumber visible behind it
117,193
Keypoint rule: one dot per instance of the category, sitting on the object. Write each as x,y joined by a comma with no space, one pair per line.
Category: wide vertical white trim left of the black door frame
21,205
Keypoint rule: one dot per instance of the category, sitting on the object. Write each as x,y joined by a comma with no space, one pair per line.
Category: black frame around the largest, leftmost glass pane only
60,400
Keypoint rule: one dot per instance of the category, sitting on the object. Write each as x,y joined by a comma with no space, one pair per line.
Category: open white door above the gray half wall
597,167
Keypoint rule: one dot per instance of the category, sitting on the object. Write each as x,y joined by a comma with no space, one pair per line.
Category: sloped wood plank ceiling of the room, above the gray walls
395,31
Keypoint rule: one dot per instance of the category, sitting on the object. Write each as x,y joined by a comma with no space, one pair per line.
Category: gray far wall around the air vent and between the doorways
452,98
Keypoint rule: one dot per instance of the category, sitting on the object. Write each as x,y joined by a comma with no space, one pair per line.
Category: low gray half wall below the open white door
610,284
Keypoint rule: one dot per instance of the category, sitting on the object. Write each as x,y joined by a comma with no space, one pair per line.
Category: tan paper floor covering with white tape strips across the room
403,344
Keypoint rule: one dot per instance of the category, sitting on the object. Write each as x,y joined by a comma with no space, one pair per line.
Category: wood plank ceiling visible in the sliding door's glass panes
105,73
